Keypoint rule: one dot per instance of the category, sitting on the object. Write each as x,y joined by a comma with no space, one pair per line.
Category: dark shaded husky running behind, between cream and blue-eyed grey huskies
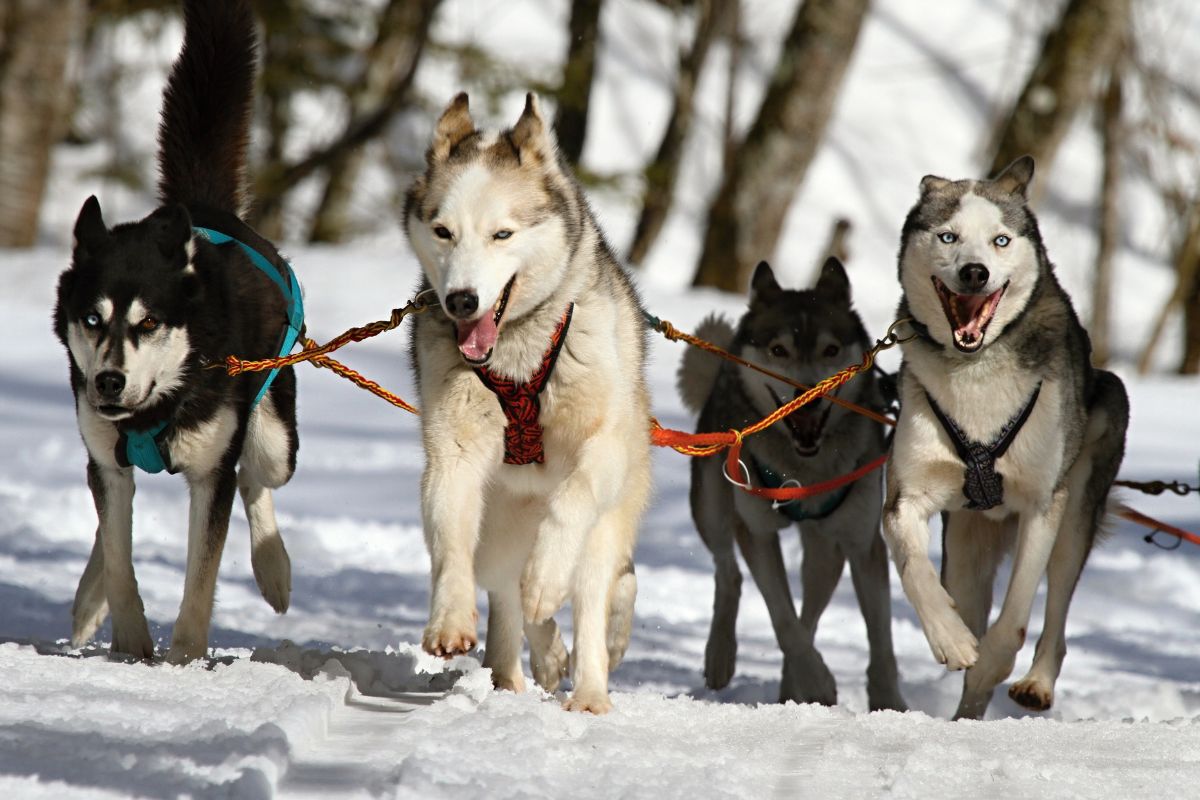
807,336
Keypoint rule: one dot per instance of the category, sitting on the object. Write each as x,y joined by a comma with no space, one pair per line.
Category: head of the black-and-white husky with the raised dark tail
125,333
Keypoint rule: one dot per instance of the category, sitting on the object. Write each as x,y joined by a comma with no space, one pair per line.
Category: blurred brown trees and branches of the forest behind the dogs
62,86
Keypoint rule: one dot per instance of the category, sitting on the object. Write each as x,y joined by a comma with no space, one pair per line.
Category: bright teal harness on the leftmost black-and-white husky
147,450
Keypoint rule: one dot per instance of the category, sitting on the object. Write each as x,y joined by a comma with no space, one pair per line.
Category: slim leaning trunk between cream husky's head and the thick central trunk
663,173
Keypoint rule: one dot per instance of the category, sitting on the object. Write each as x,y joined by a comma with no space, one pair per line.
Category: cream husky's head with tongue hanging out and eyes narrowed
483,216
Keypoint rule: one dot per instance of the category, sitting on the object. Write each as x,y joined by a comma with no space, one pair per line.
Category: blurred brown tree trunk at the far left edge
37,40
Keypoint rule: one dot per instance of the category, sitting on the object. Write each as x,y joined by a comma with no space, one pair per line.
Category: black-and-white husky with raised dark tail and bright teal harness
145,309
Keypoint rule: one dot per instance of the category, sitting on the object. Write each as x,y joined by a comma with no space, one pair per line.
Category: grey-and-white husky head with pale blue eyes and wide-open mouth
971,257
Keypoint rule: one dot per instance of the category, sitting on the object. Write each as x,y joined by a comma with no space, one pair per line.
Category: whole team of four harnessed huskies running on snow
536,410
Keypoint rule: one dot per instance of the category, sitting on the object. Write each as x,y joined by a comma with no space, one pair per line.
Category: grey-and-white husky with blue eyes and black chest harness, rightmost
1005,429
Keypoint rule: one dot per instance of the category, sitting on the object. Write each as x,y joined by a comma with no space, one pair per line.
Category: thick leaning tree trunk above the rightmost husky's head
1084,43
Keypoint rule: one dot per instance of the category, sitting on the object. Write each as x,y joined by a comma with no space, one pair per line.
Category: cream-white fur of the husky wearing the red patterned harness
500,219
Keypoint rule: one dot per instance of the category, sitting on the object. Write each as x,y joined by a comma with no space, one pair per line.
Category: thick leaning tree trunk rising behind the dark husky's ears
747,216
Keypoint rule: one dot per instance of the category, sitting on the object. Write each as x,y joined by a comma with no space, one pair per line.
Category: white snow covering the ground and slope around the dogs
335,700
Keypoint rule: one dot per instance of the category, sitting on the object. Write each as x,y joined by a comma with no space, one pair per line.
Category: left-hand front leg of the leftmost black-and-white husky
113,494
